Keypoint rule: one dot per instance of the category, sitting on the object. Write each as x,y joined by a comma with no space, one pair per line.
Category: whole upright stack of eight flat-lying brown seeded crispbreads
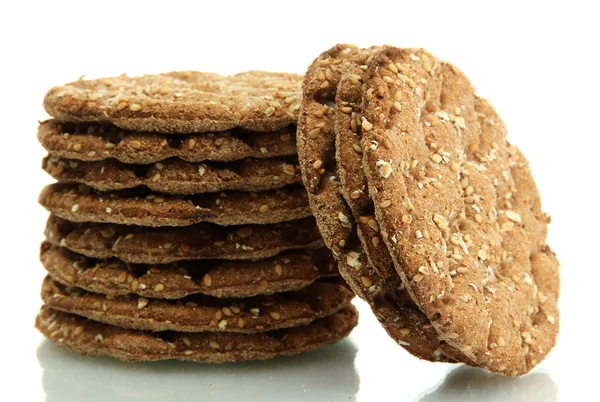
178,209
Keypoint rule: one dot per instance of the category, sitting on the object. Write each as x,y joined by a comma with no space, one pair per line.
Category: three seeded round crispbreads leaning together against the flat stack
433,215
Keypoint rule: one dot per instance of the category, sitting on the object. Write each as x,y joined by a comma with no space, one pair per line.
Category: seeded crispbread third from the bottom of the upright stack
217,278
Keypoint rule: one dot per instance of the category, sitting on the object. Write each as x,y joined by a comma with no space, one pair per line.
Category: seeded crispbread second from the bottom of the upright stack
201,313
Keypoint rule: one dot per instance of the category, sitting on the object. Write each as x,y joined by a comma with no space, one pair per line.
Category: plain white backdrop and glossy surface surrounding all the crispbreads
536,62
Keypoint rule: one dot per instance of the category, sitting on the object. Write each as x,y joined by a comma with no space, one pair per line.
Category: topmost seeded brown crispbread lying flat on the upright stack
181,102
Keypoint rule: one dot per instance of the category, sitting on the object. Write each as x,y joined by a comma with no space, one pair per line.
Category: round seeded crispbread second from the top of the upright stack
95,142
